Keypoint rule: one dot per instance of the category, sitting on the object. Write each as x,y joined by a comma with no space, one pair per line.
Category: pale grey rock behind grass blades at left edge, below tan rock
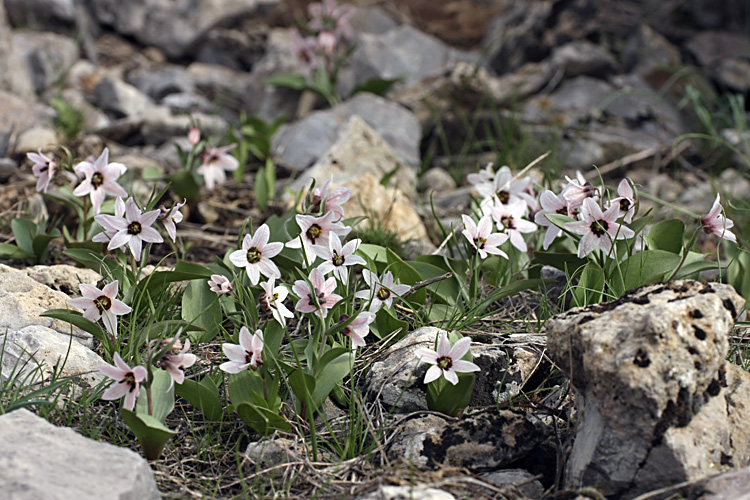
33,353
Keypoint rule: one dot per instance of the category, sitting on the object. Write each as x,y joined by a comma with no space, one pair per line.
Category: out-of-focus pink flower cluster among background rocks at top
327,29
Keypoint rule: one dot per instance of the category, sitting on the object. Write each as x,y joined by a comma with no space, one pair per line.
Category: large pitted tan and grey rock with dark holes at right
657,402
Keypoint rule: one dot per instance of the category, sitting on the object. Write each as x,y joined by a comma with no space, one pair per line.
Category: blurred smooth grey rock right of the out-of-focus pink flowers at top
404,52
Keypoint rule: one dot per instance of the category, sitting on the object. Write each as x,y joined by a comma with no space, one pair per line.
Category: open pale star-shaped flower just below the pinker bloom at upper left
132,230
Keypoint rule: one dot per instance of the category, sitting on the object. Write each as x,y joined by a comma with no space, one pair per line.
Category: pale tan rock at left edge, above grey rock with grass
22,299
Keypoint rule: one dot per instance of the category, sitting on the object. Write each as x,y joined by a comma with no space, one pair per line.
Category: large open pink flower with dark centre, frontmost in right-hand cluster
598,230
